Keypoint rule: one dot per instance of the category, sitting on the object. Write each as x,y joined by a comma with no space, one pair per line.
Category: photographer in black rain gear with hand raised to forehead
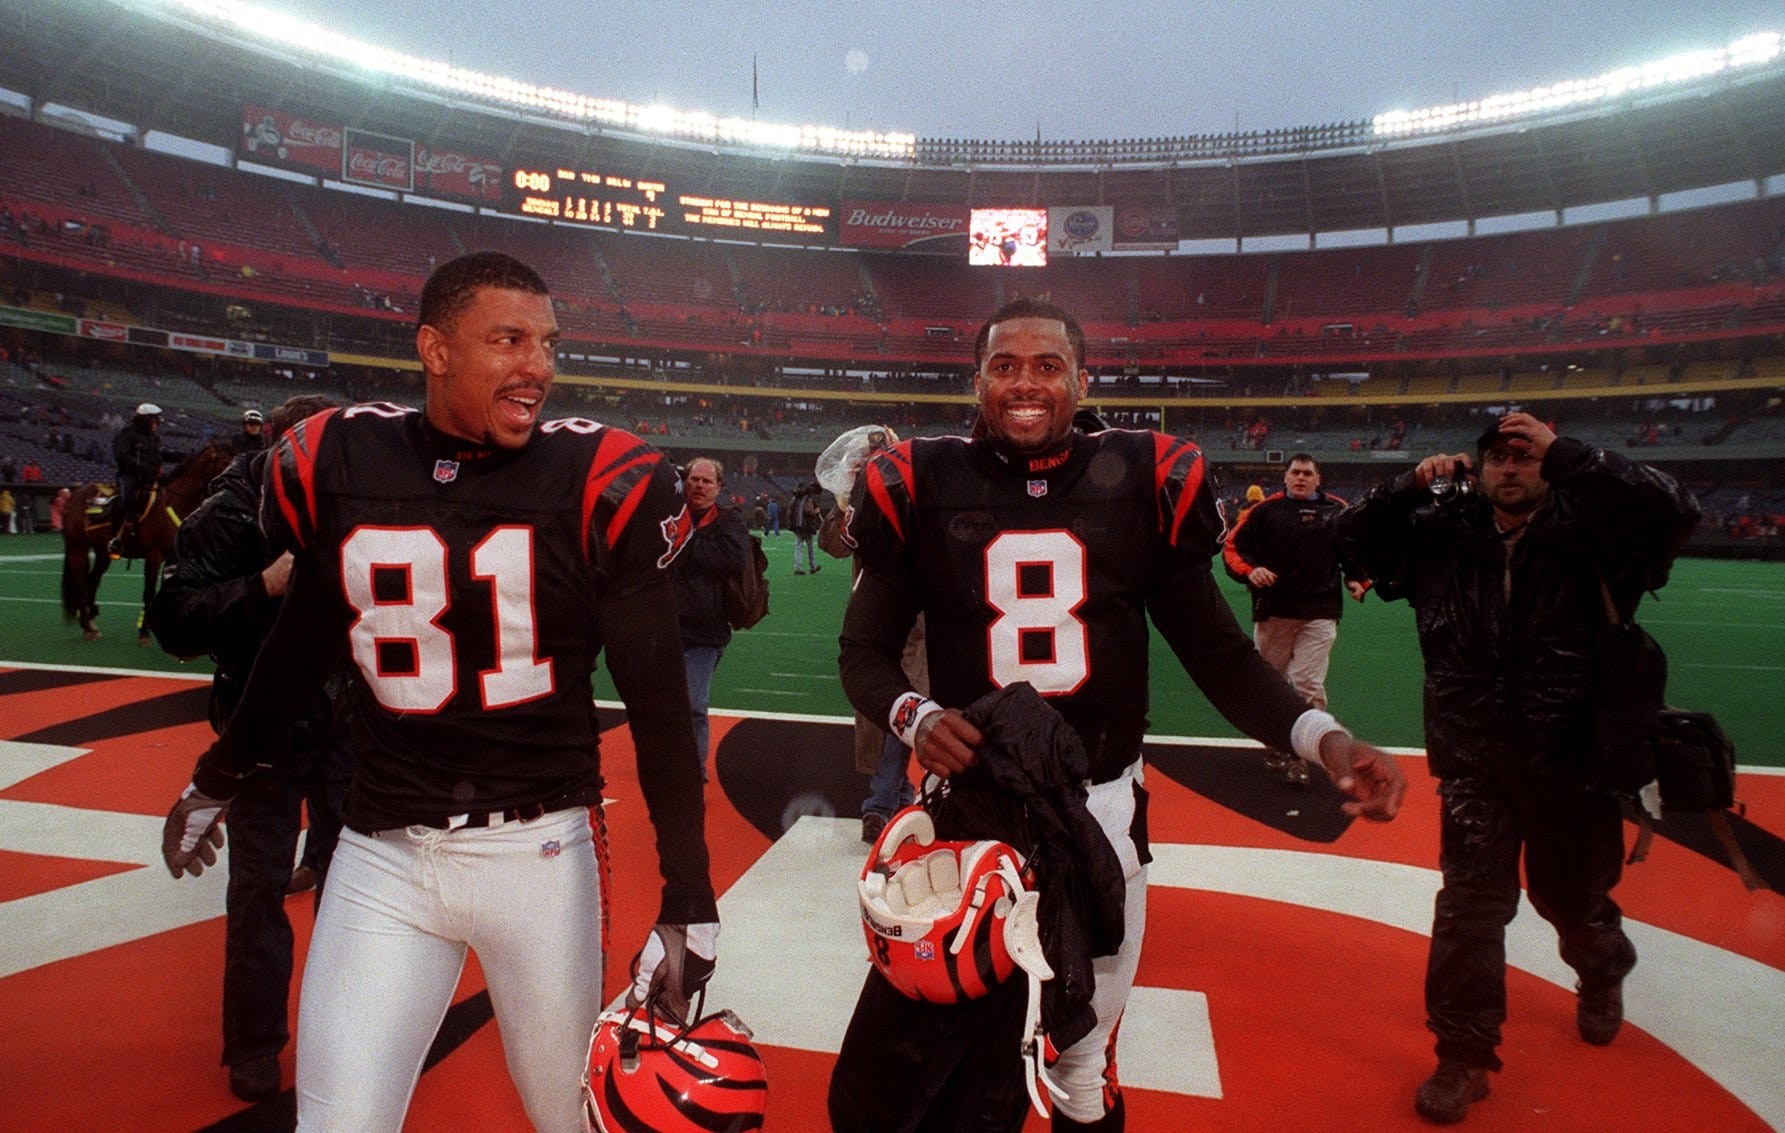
1506,583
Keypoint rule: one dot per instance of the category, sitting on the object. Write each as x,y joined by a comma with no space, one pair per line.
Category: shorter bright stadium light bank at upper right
1686,67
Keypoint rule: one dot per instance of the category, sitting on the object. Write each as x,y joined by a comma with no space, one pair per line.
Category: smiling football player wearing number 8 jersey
1036,554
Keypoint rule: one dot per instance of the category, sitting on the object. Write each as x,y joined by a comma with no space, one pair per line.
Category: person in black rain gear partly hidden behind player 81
220,599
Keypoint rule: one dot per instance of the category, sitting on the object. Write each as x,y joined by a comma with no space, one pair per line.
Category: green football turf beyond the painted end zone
1723,627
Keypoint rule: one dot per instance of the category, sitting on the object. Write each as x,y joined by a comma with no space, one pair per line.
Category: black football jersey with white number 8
1042,572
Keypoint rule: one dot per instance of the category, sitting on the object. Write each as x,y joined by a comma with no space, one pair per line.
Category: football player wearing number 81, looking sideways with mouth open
472,561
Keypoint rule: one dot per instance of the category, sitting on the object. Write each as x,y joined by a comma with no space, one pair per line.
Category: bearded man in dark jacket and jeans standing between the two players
715,552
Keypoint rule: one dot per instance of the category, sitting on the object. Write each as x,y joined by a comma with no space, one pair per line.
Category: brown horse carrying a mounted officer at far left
88,531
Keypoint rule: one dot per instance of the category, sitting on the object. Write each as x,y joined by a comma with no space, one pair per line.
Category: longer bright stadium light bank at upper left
299,35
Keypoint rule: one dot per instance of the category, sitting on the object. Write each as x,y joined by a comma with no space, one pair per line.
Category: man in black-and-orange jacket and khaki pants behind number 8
1288,554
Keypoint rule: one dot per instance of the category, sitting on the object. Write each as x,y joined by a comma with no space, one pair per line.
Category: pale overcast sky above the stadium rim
1074,70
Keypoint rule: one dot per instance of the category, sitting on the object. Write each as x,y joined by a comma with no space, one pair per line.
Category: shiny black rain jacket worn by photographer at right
1509,681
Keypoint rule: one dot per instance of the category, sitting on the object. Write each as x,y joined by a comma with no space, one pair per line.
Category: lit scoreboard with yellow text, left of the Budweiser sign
588,197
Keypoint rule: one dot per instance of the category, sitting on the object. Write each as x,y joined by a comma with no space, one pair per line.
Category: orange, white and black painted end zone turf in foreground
1691,1002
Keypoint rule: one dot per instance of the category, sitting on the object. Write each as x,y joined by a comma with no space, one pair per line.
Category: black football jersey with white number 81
469,588
